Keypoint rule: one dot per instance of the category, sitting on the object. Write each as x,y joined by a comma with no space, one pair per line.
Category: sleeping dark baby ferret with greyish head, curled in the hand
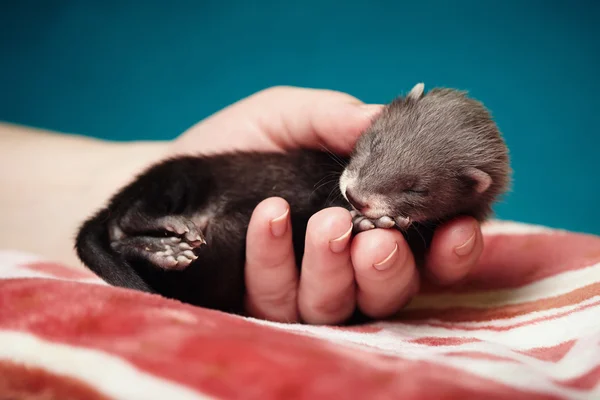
179,229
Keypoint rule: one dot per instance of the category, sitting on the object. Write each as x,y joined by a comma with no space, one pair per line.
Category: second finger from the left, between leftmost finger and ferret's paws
327,289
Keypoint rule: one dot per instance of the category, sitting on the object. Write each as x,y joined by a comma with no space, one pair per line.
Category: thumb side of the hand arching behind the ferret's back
283,118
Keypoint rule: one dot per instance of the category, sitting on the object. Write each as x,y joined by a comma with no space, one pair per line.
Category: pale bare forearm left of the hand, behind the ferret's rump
50,182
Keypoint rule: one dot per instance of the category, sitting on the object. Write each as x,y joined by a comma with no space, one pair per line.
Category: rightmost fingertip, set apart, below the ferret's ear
455,250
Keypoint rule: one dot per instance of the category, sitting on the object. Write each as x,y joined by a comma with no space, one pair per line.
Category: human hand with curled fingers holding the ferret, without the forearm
376,270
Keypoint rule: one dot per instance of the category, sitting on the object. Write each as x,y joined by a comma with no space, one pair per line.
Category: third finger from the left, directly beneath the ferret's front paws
385,272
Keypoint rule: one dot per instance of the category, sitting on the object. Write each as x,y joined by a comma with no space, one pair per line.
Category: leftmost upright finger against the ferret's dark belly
271,272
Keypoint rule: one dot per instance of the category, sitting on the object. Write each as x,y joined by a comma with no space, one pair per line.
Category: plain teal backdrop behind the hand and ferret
148,70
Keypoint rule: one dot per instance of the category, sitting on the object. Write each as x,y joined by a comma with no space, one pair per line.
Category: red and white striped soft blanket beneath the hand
524,325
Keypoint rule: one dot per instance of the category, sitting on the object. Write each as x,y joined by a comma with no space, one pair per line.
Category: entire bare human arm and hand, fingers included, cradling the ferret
58,180
